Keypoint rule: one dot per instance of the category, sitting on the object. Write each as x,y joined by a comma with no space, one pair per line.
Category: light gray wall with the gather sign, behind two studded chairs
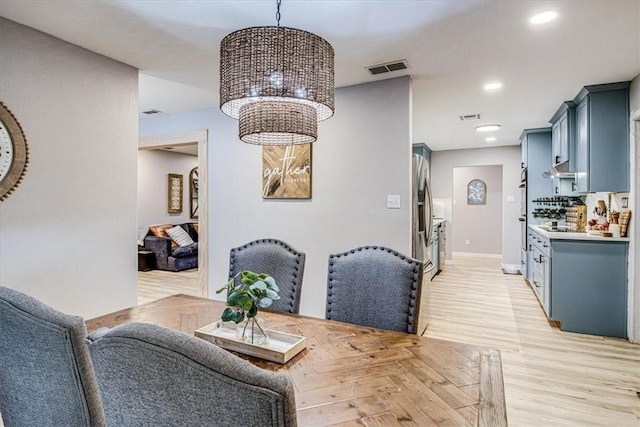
363,153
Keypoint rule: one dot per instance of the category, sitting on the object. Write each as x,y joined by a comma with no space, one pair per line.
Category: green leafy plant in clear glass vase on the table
244,297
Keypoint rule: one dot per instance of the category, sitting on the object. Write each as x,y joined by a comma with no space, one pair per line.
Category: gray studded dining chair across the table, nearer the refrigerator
375,286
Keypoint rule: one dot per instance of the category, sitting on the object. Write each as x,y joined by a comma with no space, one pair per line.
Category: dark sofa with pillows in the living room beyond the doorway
169,255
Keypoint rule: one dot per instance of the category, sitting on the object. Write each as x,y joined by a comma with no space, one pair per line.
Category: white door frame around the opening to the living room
202,138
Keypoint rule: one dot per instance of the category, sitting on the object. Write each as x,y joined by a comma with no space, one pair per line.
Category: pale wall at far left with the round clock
66,229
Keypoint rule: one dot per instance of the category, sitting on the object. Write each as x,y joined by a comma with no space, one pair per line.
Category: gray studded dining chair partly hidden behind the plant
276,258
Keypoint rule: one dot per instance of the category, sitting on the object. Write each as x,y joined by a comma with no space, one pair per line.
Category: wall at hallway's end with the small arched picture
481,225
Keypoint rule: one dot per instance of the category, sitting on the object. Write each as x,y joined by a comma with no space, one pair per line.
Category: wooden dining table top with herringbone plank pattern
355,375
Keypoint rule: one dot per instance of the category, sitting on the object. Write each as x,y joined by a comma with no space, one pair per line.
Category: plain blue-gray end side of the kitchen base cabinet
588,283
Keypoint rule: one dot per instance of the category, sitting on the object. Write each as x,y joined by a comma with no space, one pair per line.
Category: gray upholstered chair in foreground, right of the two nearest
150,375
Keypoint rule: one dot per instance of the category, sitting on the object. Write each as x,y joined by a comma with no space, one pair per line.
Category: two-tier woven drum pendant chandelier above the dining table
278,82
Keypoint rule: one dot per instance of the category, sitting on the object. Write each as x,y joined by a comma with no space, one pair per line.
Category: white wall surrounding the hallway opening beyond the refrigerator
442,165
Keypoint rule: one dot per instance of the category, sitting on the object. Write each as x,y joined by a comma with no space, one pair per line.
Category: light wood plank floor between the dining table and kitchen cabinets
551,377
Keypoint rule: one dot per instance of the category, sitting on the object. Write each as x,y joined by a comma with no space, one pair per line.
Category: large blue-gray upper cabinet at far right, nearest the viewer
602,138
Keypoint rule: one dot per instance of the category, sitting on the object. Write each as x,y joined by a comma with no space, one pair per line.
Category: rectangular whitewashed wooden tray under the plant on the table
280,347
